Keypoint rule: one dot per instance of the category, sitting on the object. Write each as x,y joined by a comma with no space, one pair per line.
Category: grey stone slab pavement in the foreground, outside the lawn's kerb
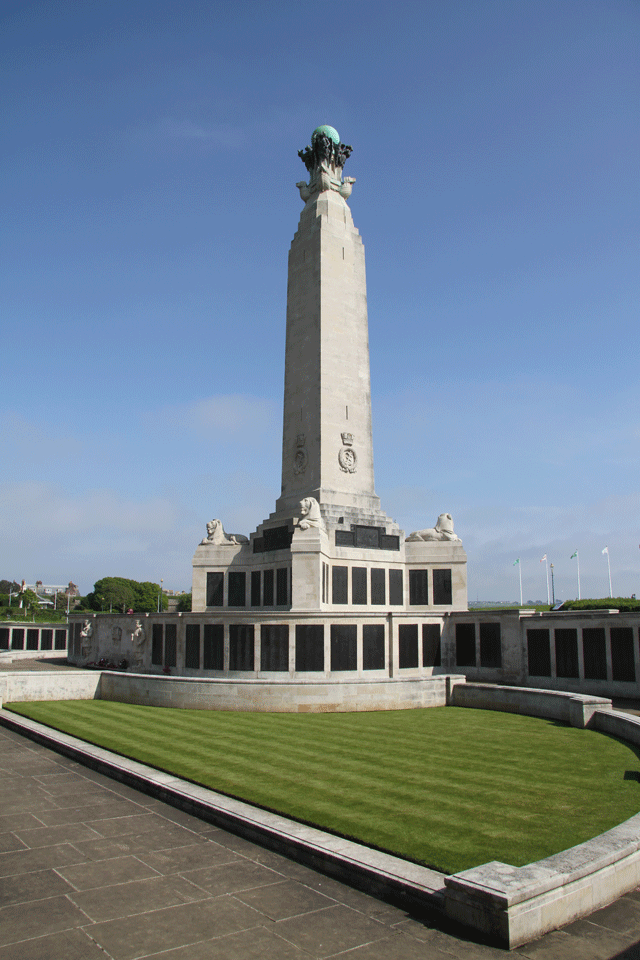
91,868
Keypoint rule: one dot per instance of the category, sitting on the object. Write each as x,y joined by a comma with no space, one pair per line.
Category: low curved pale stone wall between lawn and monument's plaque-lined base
298,696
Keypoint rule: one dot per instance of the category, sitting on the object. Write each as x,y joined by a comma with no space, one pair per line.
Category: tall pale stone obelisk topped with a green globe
327,449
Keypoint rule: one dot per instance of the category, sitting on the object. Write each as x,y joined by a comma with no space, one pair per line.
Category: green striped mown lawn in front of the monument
449,787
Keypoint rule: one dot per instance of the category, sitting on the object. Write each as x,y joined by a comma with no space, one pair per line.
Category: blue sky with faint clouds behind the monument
148,176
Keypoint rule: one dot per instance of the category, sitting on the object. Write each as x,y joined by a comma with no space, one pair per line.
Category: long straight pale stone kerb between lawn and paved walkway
380,874
